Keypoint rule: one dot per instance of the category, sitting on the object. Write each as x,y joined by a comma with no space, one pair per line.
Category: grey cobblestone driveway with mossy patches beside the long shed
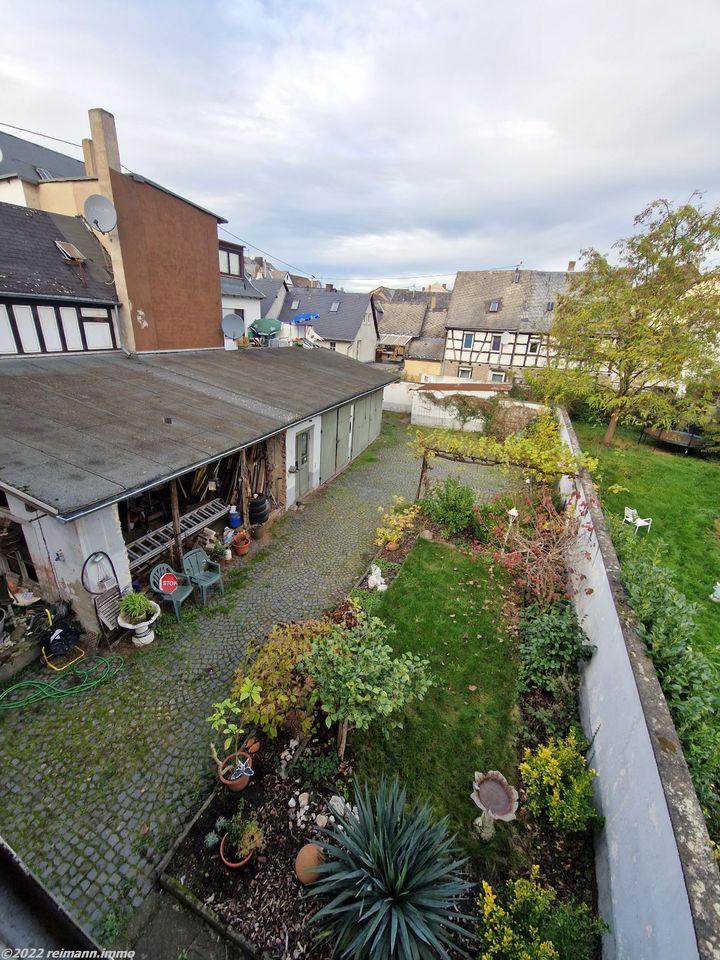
96,787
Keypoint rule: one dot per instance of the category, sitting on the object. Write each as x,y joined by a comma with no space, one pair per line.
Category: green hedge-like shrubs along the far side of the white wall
689,682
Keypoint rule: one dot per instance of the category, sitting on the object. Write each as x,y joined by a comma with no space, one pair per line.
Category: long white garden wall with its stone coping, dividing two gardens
658,883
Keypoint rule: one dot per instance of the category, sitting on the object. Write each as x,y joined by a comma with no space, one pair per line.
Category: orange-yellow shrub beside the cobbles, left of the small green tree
286,701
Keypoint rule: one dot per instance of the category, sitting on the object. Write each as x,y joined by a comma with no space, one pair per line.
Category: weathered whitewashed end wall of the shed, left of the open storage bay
59,550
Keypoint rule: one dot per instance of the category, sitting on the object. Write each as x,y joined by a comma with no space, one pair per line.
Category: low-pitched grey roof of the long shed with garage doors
79,432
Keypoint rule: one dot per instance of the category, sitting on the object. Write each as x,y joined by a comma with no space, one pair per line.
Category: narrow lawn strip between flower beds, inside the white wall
447,607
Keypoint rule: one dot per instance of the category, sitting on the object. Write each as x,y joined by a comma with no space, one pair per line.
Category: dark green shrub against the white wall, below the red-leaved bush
551,644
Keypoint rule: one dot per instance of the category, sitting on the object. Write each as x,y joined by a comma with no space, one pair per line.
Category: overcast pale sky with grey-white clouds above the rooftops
374,141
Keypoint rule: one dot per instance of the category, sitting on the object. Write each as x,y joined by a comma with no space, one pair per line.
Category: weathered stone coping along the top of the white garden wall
700,870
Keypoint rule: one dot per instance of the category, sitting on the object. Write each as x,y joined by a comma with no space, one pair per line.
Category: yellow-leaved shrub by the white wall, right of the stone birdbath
558,784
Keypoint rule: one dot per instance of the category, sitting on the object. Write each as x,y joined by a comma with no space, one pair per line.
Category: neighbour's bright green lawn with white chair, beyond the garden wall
682,495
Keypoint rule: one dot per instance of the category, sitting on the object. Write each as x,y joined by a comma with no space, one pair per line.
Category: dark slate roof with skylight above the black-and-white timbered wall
32,266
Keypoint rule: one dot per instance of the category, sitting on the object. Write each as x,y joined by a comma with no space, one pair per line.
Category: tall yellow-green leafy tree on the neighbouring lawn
631,334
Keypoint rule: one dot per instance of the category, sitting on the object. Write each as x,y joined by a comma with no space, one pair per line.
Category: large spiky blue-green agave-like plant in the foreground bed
392,880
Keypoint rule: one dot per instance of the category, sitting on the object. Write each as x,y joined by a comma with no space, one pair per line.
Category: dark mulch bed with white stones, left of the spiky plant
263,901
